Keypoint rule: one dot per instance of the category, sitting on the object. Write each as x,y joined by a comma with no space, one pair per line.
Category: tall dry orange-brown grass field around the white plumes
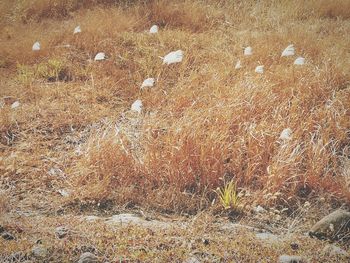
74,145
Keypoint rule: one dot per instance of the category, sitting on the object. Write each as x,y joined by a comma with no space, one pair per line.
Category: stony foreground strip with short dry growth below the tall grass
100,234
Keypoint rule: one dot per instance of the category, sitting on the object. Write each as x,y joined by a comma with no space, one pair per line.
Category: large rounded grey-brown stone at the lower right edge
333,226
